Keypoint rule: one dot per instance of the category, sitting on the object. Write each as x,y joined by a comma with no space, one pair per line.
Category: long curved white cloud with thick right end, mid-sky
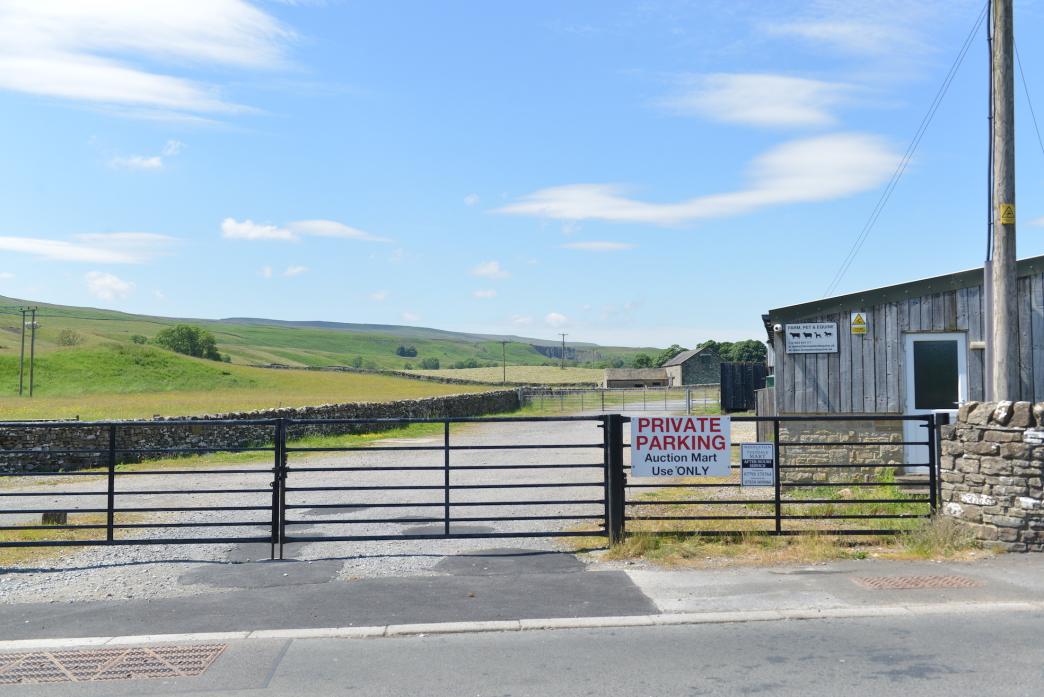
815,170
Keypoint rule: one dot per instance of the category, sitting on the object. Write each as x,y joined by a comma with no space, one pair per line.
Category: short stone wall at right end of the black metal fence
992,469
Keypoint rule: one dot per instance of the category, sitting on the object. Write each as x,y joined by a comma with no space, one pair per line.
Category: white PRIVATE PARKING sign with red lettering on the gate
681,446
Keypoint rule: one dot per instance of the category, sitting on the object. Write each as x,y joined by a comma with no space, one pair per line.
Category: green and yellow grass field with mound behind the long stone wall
137,382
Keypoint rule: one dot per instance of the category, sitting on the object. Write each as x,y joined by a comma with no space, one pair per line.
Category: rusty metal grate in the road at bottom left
124,664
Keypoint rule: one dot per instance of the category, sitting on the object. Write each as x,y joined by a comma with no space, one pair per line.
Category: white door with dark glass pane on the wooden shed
937,380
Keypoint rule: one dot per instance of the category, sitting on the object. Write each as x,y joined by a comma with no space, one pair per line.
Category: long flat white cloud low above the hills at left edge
93,248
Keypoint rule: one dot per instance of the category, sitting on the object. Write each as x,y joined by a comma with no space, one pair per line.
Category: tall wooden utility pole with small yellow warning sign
1005,339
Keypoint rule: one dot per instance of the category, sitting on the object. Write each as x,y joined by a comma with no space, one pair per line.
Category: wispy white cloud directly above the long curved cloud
758,100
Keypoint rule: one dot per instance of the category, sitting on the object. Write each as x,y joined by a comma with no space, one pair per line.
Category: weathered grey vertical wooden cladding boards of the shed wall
868,373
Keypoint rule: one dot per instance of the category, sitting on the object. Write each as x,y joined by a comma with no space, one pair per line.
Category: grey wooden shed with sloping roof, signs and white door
909,349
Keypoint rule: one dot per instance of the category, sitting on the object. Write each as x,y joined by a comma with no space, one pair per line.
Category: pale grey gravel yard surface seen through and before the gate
152,571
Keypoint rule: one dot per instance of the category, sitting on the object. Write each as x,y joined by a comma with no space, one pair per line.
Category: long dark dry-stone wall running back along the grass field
207,431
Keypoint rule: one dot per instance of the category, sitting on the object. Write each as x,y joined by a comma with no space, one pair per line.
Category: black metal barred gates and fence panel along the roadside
104,484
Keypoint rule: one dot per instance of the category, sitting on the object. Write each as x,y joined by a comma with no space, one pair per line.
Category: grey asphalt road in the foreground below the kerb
923,657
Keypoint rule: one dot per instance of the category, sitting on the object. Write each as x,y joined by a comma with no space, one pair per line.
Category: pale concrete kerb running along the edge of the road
532,626
